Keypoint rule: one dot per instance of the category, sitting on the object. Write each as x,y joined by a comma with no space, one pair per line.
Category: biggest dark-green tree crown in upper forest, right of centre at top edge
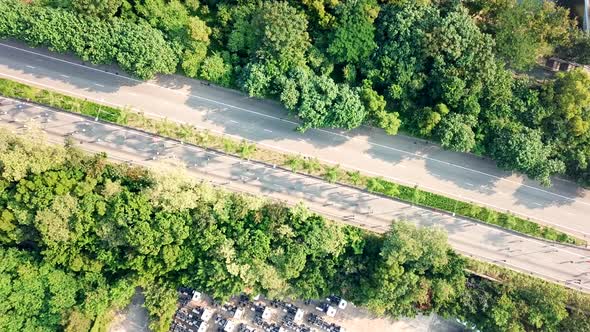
432,55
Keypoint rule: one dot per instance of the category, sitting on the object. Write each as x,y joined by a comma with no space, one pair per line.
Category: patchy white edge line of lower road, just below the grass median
132,131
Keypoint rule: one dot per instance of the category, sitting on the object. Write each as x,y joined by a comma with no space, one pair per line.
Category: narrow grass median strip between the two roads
311,166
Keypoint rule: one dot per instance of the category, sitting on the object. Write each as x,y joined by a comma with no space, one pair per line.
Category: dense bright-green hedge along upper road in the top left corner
137,48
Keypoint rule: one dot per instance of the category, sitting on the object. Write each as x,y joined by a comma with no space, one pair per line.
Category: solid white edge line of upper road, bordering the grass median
385,176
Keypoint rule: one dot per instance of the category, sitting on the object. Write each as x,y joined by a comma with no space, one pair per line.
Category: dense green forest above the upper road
456,72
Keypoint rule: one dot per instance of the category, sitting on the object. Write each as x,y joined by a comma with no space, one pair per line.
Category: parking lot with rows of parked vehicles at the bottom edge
199,313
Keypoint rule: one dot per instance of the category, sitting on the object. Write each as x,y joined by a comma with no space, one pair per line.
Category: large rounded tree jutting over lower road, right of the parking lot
398,286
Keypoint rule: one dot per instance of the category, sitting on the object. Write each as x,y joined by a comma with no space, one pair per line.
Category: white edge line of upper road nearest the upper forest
296,123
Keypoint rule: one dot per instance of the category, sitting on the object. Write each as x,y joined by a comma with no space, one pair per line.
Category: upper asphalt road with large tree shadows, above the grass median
407,160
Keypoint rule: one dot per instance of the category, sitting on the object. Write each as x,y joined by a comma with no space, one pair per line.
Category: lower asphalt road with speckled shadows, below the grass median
559,263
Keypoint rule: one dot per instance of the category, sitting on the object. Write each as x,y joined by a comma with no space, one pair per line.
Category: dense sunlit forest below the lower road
78,234
